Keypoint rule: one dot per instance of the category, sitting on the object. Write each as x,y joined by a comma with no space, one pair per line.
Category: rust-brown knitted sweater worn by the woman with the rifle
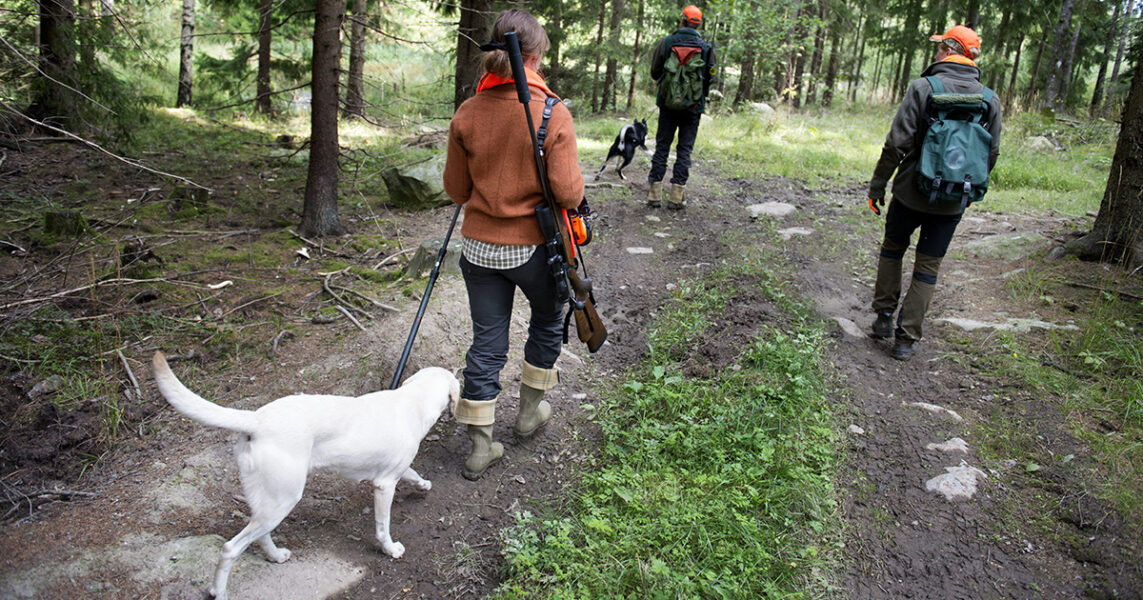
492,172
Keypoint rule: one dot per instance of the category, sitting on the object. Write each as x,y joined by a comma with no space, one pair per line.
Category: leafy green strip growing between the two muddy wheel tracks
705,487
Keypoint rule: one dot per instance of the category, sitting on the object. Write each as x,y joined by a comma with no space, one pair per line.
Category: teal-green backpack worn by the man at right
954,166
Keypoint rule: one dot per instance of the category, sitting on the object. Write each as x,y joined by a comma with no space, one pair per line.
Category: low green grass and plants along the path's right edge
1081,382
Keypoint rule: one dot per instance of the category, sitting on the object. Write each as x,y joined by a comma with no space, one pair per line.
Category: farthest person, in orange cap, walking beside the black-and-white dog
683,67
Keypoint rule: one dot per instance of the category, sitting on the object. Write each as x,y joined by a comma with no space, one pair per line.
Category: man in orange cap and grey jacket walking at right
912,207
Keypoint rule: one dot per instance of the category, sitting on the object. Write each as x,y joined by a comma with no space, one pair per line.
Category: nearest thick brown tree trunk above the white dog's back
319,214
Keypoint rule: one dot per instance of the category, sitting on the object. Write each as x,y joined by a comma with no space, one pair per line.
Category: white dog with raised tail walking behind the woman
370,438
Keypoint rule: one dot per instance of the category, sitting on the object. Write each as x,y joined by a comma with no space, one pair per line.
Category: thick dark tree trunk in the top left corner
58,61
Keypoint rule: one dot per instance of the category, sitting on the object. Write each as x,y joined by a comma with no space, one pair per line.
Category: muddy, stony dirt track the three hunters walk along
151,522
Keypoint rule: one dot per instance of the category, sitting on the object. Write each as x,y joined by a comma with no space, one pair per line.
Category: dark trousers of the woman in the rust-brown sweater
492,293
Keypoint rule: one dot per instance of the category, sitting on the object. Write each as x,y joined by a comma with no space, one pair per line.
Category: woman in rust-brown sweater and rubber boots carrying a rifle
491,170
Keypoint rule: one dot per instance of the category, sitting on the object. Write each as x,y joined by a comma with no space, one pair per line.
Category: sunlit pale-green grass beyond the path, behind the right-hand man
842,147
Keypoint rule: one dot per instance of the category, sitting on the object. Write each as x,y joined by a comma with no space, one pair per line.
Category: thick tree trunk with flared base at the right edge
1117,235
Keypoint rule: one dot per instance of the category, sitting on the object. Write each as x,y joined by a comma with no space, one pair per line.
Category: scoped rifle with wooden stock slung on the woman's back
563,259
